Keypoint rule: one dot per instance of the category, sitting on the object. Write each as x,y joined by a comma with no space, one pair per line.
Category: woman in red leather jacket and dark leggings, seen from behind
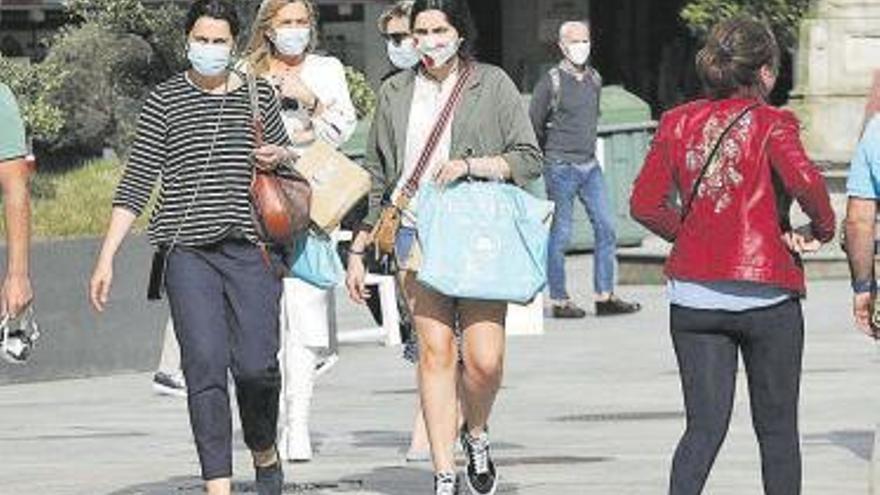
734,274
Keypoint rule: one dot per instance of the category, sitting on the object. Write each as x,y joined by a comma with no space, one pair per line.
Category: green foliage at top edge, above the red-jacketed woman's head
783,16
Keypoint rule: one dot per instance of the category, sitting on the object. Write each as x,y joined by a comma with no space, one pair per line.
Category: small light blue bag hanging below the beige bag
315,261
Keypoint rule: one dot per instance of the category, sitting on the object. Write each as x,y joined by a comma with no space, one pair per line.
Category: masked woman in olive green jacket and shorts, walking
490,137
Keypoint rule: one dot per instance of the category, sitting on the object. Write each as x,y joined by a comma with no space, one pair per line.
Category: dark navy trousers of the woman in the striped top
225,304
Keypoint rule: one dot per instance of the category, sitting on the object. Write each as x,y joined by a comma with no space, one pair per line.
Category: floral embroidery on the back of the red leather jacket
722,176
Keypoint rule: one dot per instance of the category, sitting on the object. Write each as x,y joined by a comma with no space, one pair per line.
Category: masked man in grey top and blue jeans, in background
565,114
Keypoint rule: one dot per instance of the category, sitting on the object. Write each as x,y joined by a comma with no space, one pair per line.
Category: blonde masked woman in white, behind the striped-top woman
316,104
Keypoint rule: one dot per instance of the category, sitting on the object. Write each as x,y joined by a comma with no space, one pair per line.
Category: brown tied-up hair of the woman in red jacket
730,62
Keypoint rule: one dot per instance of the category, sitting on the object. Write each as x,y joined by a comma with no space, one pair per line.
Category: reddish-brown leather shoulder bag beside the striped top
280,199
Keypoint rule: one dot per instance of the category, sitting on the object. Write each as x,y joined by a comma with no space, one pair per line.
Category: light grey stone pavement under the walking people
591,407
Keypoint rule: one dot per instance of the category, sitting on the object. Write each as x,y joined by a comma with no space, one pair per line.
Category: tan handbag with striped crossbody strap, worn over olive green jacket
385,231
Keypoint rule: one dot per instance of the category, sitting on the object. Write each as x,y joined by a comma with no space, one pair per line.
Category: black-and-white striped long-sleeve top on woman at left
175,130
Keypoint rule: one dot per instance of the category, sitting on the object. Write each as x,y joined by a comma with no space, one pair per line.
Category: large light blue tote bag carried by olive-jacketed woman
483,240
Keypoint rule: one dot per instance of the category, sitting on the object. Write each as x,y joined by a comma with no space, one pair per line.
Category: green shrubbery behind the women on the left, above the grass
114,53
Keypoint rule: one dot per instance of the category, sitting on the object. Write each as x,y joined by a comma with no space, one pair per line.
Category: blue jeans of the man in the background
564,181
